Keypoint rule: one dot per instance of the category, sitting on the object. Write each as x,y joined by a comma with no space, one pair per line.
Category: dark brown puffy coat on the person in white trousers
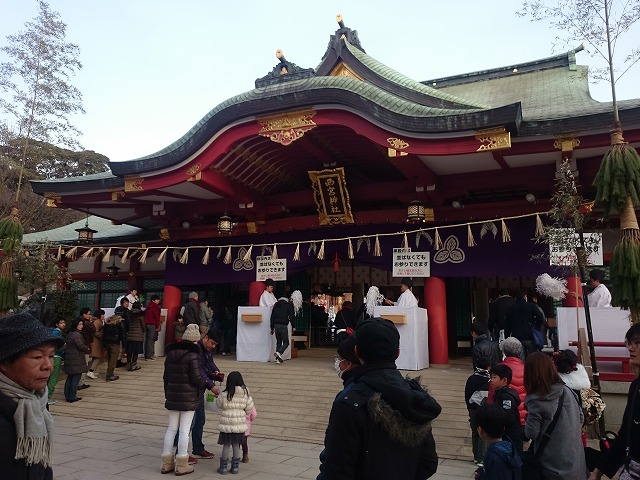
183,385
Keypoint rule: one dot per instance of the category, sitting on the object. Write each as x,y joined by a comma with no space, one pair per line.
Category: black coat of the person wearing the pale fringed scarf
11,468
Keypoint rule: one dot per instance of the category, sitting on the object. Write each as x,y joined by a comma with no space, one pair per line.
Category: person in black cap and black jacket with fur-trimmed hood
380,425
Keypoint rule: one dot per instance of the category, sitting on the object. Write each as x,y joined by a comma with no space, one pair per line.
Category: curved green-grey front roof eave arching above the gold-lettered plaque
395,112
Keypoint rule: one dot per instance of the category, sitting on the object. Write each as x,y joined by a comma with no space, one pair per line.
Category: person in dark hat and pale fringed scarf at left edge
26,427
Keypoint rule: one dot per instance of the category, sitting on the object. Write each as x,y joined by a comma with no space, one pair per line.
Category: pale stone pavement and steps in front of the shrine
117,430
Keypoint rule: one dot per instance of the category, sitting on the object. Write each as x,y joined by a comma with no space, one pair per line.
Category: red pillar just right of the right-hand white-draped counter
435,300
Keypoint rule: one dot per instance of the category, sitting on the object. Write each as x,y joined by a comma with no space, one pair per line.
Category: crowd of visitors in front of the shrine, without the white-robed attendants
516,397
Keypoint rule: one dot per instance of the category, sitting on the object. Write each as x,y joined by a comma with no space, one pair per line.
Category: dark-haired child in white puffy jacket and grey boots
235,403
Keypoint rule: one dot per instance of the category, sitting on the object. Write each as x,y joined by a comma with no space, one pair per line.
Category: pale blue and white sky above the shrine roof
153,68
